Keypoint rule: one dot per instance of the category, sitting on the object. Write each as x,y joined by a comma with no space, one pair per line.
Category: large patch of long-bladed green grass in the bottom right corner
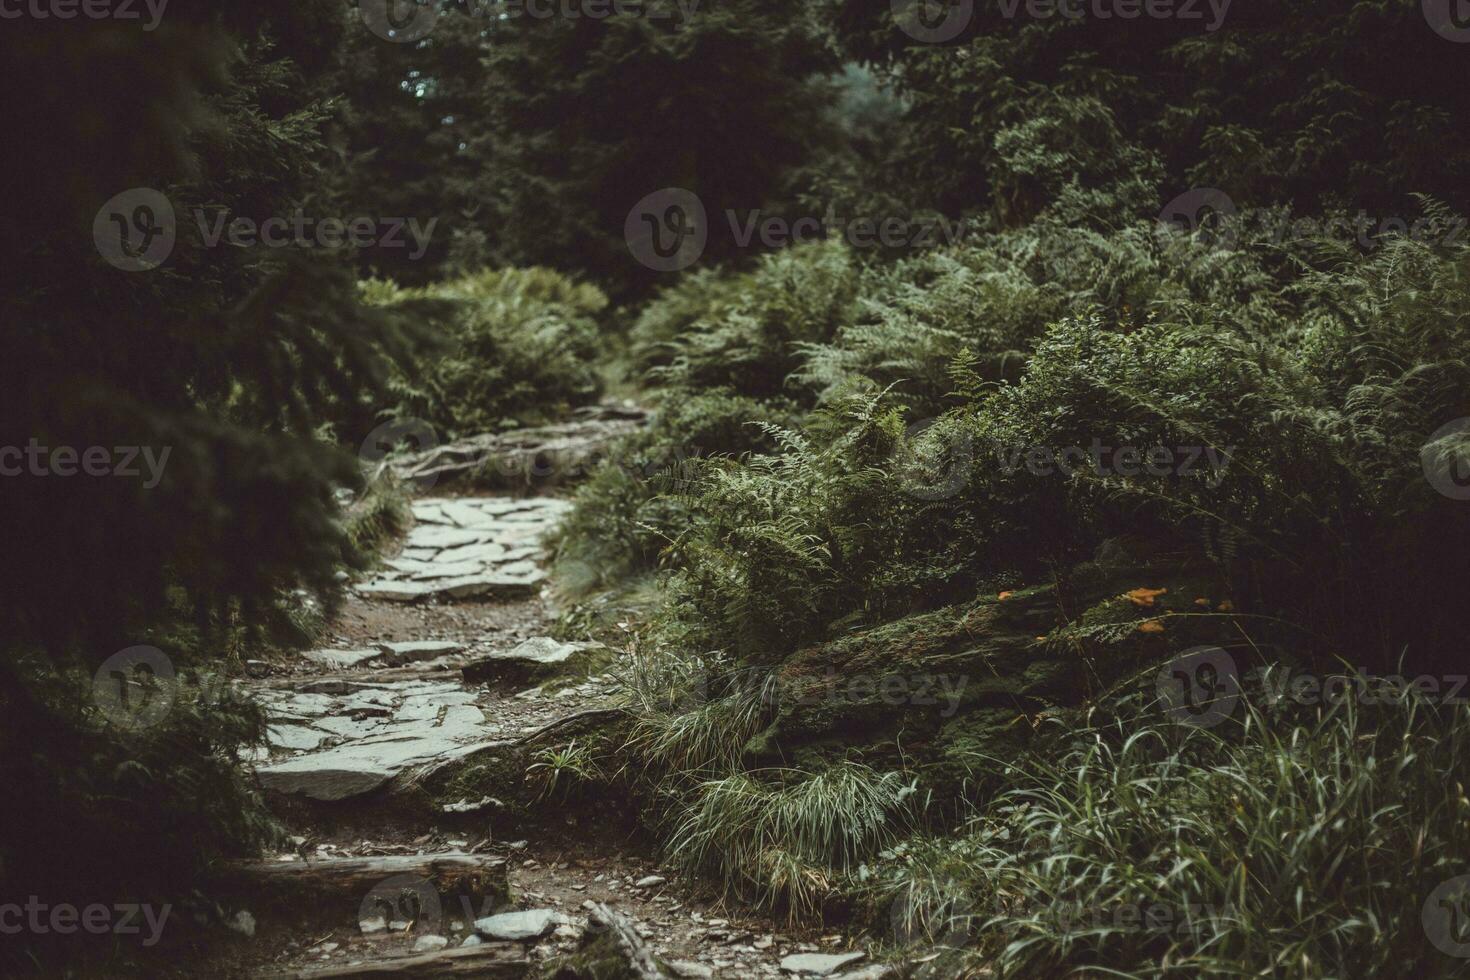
1296,844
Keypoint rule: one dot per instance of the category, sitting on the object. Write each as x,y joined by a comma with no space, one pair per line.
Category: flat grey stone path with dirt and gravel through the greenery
439,660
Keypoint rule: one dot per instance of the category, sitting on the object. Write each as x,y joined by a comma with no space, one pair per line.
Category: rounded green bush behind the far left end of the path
515,347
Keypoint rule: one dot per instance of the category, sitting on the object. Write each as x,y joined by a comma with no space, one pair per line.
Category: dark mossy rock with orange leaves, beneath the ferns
967,680
